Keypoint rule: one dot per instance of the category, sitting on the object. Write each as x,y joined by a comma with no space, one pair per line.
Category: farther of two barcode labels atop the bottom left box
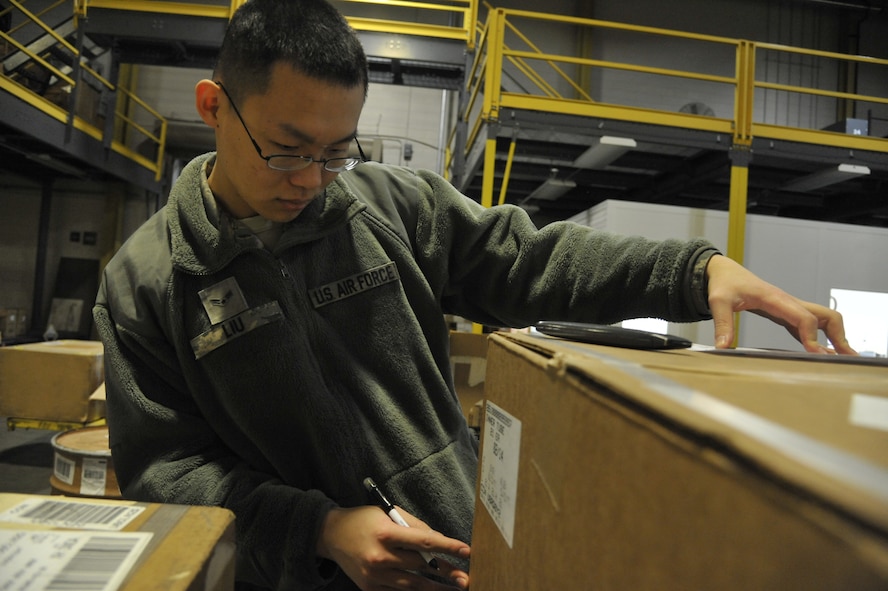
73,514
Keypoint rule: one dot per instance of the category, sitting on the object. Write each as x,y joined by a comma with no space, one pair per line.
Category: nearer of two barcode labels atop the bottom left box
68,561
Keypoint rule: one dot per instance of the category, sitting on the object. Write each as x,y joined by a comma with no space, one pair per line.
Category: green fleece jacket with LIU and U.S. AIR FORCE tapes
273,383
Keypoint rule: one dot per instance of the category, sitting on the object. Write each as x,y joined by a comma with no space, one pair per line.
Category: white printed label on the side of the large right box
499,467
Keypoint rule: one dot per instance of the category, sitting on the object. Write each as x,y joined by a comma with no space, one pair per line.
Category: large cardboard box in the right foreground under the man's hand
606,468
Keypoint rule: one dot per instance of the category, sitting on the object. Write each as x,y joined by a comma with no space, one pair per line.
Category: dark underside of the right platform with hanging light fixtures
683,168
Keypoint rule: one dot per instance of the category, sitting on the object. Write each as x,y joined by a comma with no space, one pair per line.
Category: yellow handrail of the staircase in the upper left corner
67,99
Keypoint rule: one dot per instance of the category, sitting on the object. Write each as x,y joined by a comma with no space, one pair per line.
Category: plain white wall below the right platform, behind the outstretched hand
805,258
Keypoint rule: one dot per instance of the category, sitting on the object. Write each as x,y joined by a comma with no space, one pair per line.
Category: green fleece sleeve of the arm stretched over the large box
494,266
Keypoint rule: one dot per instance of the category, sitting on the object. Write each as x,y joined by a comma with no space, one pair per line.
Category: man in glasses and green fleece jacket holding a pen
276,333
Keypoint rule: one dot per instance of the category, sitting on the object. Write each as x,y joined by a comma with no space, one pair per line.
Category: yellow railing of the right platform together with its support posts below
510,71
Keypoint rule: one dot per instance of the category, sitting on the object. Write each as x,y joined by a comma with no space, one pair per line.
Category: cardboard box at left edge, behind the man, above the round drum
50,381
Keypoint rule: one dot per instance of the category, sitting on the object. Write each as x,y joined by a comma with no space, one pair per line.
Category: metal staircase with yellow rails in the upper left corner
64,111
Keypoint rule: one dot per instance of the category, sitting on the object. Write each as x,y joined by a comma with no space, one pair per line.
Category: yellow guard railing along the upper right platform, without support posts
547,81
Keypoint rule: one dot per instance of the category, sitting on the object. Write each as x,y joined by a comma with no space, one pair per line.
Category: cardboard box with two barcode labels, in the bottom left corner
188,549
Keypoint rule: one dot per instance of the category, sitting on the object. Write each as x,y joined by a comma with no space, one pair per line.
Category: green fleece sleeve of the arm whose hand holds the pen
165,451
